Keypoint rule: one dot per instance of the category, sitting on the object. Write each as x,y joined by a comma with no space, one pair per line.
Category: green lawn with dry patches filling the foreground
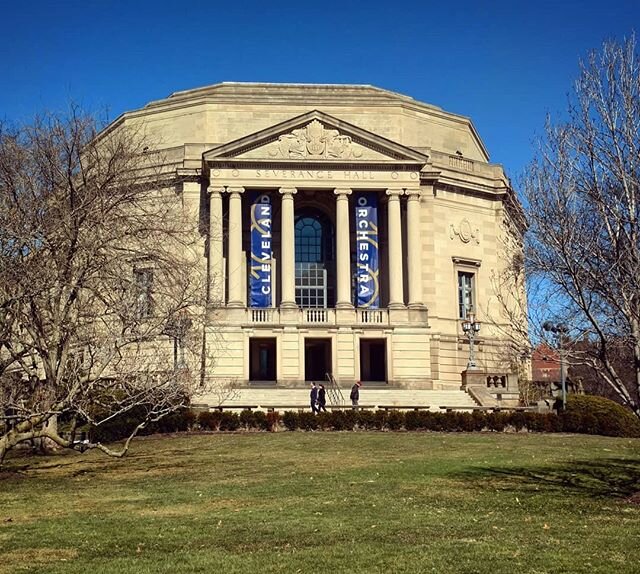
329,502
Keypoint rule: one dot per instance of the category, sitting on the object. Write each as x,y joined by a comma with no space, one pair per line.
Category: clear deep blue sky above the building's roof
504,64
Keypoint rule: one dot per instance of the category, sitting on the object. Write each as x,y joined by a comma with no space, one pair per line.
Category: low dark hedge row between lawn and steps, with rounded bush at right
584,414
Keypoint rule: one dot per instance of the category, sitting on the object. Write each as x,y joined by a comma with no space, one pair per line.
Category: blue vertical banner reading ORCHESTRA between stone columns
367,275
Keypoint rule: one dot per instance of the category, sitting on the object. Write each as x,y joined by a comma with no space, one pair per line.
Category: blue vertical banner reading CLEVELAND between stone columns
260,276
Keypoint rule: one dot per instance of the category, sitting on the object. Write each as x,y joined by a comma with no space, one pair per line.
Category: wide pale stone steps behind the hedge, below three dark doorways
291,398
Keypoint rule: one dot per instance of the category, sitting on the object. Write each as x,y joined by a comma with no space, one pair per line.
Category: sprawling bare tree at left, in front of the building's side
101,284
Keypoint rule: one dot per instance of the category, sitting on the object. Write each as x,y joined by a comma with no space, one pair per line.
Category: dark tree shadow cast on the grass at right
603,478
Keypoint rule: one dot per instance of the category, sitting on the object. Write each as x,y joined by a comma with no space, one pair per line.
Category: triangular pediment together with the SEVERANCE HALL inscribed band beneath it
314,151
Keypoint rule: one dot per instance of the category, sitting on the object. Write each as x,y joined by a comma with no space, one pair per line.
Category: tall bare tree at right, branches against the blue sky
582,197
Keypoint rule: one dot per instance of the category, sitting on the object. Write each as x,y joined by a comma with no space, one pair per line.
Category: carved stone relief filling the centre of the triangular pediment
314,141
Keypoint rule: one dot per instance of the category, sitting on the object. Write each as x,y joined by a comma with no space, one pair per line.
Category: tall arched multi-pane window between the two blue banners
314,259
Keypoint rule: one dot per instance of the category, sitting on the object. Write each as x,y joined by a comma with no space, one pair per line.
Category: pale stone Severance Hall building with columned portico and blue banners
347,230
